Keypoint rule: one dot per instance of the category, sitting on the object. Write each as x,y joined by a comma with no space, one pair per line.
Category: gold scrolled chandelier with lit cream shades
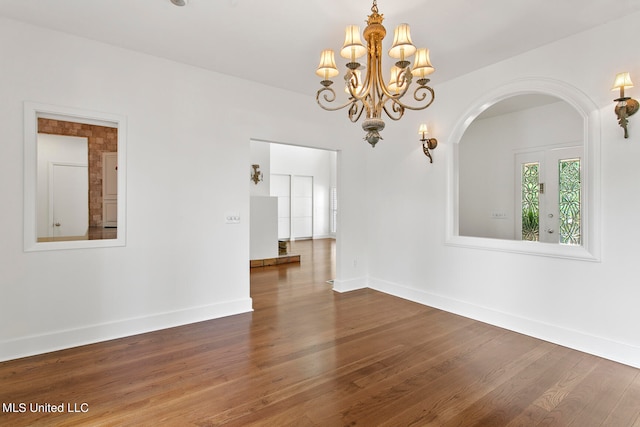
368,94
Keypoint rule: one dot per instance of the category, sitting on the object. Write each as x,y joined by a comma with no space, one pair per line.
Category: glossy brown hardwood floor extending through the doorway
308,356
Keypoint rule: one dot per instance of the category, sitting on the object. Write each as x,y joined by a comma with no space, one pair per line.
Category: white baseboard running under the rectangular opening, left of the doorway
59,340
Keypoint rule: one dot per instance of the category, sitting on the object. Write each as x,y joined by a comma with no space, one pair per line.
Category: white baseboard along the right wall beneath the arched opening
577,340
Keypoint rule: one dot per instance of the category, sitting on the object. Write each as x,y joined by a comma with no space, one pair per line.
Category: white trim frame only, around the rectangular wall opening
32,111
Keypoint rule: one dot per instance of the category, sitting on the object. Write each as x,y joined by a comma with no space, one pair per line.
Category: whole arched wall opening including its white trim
524,172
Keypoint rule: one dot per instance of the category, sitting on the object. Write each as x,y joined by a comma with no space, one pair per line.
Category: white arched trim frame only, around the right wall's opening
589,249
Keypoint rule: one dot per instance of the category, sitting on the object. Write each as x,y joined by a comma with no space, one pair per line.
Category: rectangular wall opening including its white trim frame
75,178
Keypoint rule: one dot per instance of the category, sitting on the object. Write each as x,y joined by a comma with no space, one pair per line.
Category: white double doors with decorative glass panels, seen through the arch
548,205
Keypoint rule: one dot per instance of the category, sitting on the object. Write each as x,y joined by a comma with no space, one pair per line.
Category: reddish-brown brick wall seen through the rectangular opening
101,139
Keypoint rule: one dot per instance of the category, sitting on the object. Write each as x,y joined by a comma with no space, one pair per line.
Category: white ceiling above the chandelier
278,43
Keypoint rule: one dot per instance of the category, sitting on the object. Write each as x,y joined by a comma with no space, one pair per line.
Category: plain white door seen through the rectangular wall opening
69,200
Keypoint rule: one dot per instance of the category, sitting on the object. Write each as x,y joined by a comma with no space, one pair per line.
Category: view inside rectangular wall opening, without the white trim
77,181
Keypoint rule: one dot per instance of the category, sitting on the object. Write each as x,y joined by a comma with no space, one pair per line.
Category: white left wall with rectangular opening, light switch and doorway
187,168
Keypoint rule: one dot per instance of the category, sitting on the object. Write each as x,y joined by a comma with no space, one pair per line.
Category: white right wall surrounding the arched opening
592,306
